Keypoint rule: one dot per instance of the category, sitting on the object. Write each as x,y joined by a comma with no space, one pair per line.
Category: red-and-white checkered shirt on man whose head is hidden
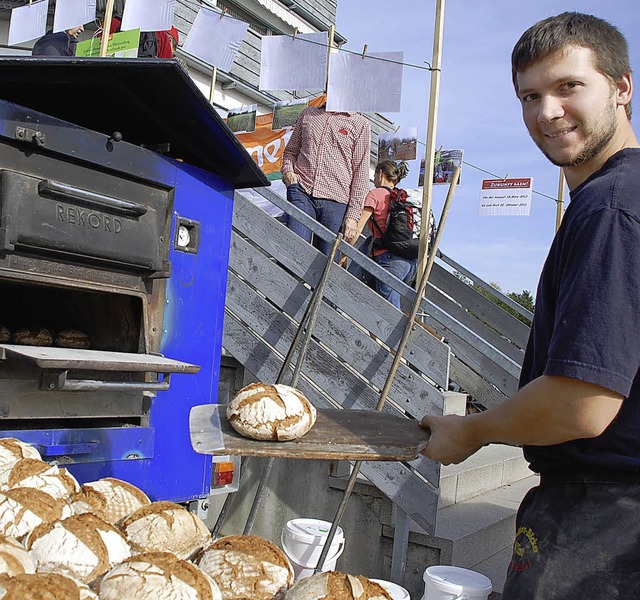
329,152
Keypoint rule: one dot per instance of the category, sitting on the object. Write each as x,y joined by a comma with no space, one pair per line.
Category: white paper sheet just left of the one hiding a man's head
294,64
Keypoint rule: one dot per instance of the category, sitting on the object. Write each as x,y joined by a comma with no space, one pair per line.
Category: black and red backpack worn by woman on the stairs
402,234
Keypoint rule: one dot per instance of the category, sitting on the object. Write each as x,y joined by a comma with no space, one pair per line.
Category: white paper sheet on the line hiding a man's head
372,83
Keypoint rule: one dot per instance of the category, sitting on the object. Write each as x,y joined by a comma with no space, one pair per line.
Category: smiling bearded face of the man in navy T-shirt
568,107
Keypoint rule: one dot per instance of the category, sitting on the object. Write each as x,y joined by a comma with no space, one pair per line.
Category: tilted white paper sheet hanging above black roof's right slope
214,39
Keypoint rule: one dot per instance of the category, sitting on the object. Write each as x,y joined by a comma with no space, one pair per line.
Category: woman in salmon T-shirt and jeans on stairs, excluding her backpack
375,213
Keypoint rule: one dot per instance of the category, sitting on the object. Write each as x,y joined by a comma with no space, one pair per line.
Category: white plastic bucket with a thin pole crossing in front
302,541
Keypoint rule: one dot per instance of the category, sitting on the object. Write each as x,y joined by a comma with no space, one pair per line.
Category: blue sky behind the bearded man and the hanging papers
478,112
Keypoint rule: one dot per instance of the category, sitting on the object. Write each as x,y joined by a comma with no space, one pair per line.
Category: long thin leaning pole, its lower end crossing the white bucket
394,367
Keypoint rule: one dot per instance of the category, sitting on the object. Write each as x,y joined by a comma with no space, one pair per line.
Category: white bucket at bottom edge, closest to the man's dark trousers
454,583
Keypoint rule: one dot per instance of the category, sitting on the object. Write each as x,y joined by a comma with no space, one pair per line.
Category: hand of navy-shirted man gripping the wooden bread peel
451,439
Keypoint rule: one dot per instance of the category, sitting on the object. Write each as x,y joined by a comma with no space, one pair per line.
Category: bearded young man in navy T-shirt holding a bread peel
577,412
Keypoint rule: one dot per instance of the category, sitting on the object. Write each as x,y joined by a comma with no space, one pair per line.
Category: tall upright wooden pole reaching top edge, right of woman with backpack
432,122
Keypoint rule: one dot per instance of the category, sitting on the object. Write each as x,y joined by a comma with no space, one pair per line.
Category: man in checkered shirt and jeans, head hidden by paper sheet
326,170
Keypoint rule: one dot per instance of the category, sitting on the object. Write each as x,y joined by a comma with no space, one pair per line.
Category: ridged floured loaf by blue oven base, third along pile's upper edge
109,498
